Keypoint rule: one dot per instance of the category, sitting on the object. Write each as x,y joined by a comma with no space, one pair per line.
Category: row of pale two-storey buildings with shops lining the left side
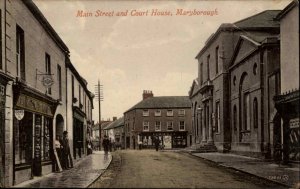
41,95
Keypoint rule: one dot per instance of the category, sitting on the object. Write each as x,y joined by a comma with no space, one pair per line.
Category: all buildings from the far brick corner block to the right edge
244,99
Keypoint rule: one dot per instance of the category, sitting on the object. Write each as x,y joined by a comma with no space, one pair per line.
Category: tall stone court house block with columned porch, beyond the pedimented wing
210,91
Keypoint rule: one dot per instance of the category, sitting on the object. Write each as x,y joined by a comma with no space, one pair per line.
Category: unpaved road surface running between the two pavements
151,169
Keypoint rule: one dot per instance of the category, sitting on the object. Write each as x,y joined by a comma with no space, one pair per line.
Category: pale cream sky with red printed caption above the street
132,45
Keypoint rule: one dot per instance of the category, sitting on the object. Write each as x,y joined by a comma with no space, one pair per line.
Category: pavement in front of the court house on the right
287,175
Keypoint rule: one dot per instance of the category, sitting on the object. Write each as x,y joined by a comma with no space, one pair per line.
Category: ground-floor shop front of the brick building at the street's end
175,139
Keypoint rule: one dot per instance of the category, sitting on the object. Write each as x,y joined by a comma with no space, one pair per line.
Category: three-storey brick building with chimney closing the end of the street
165,117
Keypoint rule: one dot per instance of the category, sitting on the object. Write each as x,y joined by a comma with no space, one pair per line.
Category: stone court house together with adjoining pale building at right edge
243,69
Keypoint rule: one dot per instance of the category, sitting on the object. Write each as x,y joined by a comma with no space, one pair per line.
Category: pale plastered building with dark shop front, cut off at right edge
286,119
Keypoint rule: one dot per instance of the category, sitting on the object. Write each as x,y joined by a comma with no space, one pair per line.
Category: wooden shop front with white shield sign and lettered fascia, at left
32,134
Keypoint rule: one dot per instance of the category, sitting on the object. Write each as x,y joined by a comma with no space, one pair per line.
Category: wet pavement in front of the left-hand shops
85,172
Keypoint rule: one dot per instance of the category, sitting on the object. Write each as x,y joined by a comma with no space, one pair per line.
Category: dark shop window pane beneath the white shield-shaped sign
23,139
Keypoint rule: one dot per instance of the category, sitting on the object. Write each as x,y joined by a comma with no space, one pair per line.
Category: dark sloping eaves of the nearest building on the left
46,25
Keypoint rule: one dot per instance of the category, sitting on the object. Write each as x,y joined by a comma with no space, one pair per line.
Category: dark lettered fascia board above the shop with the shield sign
33,104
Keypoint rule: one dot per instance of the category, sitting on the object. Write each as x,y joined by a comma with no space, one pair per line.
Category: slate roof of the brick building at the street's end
163,102
